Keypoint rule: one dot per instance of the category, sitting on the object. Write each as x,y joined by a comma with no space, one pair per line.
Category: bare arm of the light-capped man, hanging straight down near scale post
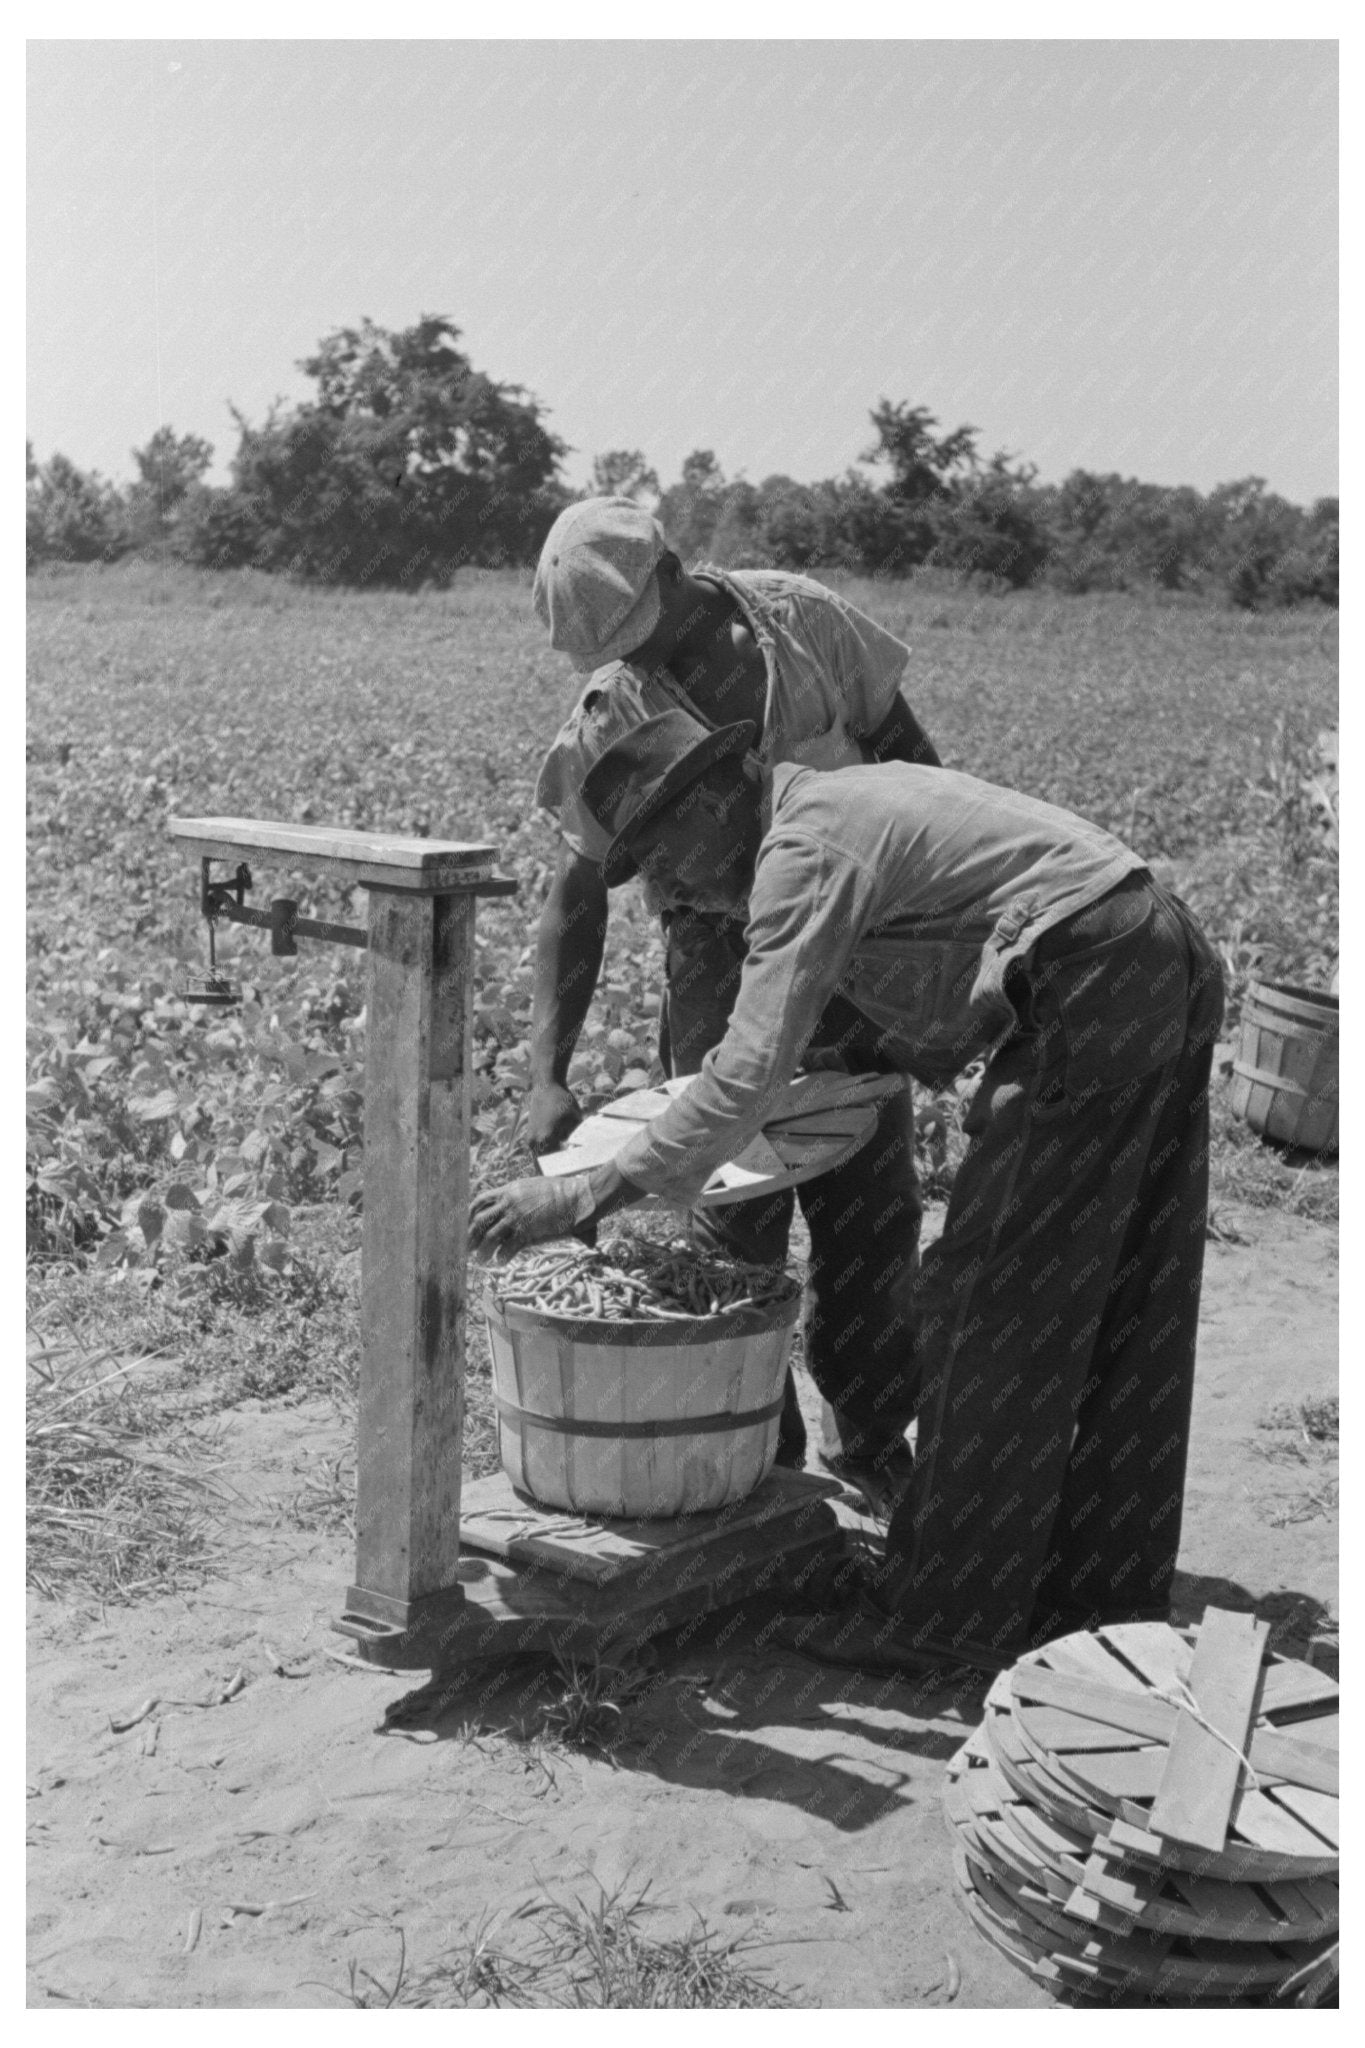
568,964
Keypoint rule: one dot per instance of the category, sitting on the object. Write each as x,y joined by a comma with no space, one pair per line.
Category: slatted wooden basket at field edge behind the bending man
1286,1070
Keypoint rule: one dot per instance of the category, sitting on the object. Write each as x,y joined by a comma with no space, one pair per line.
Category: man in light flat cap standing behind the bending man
822,685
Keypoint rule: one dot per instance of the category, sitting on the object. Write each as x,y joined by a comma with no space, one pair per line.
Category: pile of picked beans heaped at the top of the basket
637,1279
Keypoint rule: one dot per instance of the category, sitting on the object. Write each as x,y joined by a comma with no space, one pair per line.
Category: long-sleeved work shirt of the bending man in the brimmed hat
904,890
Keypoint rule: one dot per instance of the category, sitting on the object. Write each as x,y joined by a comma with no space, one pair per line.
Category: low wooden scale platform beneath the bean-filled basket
539,1580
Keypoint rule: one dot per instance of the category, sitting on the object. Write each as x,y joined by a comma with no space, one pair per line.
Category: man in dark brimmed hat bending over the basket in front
1059,1310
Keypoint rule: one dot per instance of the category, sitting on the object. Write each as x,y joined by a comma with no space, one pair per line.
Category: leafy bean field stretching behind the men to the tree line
195,1177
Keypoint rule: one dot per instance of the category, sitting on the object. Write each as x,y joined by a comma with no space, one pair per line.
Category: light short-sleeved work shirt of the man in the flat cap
832,681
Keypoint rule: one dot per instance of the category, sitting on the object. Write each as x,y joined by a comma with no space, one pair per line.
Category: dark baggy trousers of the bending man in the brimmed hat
1057,1314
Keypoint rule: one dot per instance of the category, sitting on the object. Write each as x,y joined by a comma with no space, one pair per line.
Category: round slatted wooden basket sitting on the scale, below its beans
640,1418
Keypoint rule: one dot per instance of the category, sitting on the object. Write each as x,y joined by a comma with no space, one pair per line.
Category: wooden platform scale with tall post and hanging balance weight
447,1578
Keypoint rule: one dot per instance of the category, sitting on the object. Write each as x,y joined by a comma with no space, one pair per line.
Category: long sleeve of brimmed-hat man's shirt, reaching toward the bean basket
805,914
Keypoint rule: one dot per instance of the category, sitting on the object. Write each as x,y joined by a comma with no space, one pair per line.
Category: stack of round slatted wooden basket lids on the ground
1153,1814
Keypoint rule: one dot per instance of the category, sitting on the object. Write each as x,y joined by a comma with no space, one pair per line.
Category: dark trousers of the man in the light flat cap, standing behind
863,1218
